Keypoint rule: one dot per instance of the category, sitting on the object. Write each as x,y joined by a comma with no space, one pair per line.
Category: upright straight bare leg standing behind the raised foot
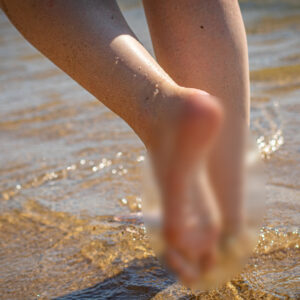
202,44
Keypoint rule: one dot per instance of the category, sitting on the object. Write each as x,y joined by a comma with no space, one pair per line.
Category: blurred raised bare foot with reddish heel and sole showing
191,218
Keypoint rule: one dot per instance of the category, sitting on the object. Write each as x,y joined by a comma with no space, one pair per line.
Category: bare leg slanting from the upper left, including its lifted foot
91,41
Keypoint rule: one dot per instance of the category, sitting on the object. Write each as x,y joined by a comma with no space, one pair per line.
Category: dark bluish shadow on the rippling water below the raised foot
142,280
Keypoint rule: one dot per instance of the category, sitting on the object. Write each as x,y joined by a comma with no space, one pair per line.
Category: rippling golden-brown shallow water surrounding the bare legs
69,167
